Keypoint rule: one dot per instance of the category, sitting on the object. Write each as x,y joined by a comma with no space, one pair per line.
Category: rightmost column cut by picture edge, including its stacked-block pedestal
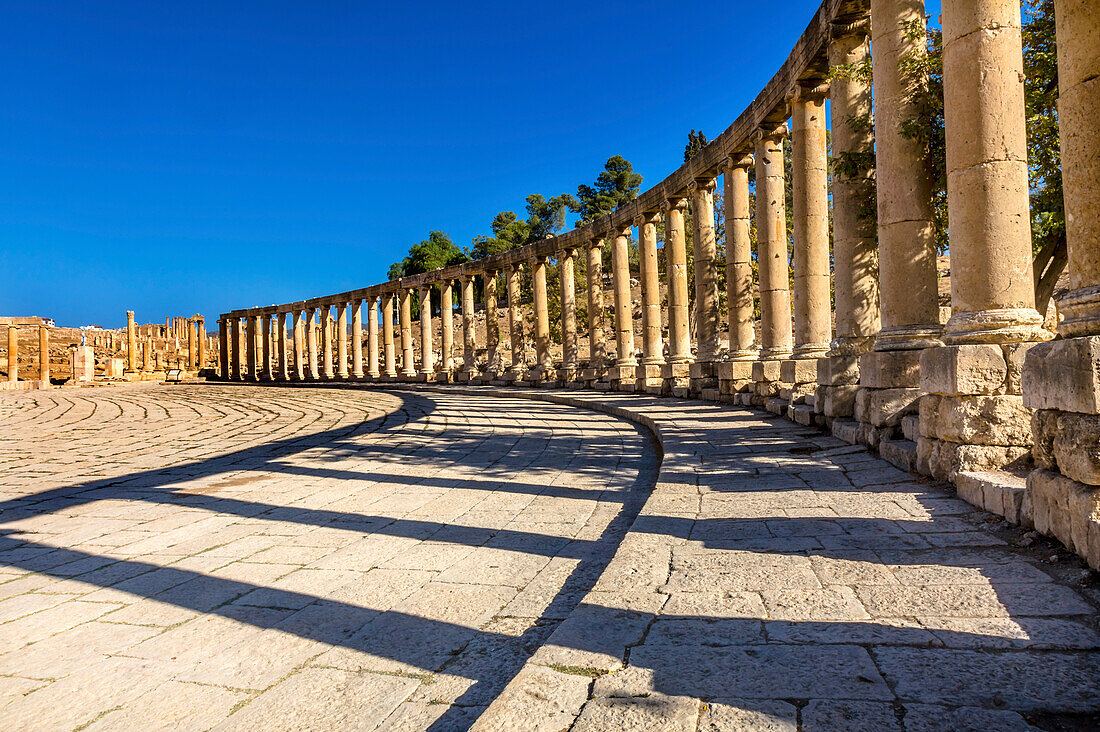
1062,378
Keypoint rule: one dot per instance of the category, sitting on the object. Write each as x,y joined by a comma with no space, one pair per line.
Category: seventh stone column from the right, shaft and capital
739,258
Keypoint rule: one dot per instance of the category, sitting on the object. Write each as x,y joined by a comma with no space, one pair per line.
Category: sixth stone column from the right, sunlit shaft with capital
776,334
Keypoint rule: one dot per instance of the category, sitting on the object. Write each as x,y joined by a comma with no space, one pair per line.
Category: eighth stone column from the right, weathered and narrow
707,270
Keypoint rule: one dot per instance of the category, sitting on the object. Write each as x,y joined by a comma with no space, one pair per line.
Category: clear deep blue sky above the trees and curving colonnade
203,157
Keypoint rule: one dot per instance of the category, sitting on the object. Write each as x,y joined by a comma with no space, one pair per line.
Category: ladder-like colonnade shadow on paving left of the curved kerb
394,636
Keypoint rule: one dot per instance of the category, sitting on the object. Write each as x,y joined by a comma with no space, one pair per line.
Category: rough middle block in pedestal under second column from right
977,420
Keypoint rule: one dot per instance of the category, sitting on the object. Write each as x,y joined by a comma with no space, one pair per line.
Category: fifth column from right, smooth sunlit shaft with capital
813,327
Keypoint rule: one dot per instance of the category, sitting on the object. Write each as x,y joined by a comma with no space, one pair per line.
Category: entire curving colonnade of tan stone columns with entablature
859,344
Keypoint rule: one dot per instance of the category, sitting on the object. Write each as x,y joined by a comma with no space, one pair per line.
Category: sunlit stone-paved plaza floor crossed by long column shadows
289,559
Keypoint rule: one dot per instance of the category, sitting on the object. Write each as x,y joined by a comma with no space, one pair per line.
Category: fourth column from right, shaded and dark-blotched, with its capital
855,247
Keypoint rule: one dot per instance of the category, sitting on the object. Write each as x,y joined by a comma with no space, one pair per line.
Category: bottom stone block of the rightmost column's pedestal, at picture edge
1068,511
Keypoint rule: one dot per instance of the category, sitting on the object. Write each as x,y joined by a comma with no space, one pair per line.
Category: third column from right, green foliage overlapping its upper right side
907,239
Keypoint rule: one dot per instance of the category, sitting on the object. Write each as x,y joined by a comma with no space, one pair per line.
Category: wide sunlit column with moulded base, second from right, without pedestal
993,292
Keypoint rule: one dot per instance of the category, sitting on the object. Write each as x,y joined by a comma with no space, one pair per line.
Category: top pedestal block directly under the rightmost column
1063,375
